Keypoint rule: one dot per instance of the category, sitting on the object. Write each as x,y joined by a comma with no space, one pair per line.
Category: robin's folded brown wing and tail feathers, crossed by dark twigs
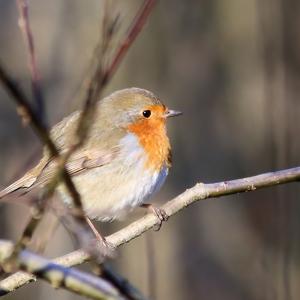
79,162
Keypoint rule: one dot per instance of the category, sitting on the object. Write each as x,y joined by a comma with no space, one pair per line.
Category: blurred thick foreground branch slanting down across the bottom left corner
60,277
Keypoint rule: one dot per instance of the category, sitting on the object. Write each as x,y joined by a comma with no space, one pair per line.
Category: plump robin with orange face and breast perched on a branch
124,160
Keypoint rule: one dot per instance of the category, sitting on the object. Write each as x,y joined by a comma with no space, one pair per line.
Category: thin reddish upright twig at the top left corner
35,78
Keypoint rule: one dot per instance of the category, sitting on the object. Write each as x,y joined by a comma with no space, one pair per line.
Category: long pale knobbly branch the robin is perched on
200,191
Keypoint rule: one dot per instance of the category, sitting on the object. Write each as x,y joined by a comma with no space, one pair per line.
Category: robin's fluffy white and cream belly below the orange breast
117,188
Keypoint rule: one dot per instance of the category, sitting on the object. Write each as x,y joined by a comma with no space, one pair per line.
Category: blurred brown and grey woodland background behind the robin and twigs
233,68
